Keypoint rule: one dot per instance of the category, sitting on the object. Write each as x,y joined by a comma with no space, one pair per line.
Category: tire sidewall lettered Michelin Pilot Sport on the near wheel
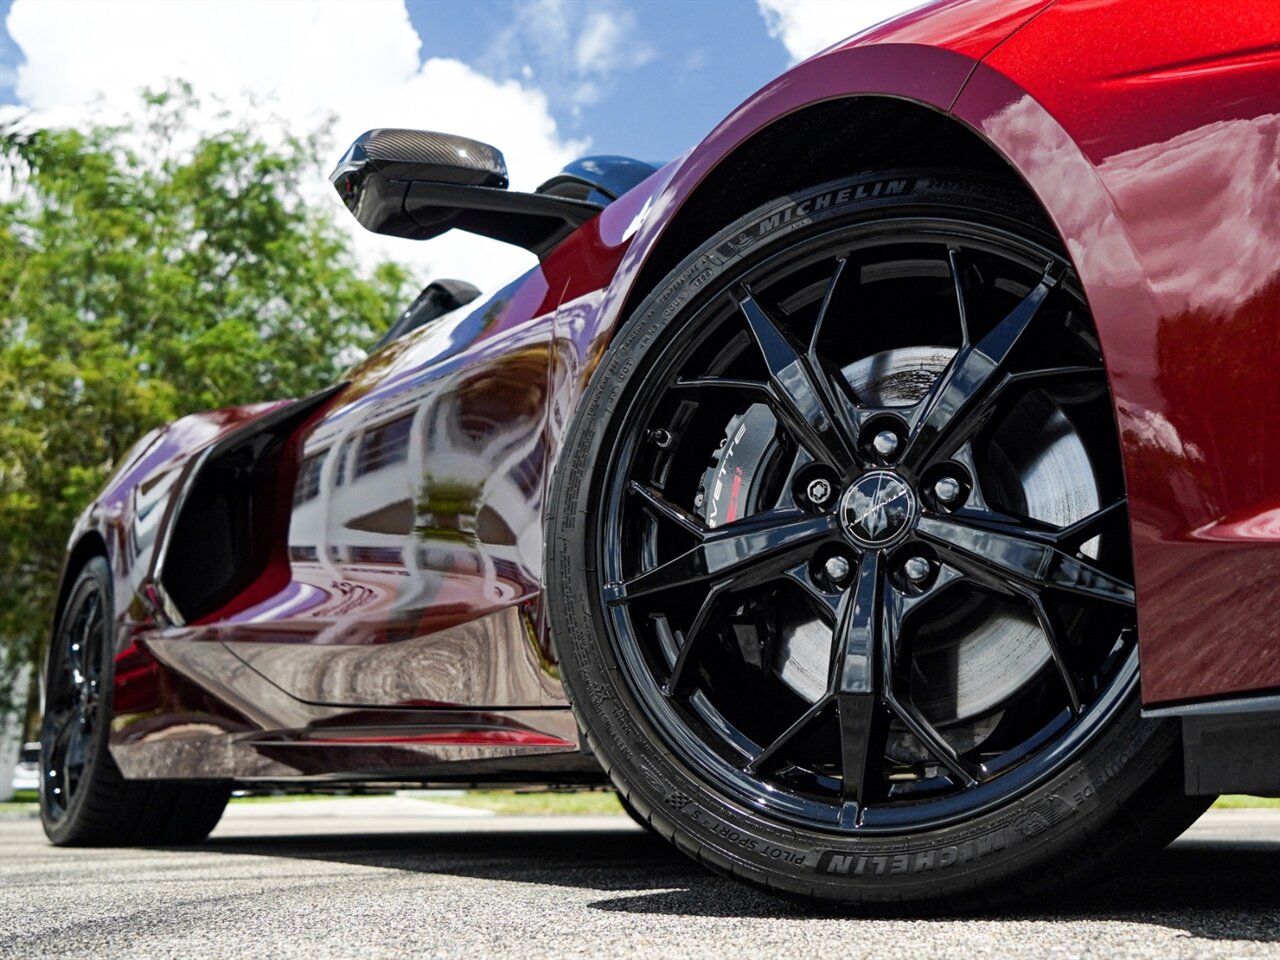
1013,842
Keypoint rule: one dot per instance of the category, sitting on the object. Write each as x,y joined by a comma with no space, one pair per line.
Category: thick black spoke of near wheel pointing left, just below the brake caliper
753,550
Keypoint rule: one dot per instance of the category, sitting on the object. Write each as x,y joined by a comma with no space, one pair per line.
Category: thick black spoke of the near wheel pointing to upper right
971,376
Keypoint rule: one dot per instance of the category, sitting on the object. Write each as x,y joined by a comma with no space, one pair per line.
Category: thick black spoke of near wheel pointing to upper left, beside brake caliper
797,391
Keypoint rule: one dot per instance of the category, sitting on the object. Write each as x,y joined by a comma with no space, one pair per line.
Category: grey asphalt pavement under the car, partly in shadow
400,877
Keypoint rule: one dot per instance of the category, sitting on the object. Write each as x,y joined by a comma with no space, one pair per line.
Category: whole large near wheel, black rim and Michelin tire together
842,559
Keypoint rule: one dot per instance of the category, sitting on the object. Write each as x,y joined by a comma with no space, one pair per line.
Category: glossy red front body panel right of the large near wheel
1153,138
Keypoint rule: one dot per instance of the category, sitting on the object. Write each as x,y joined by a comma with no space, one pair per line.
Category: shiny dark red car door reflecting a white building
415,542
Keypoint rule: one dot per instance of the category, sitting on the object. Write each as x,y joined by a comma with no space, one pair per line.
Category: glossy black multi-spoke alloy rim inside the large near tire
876,519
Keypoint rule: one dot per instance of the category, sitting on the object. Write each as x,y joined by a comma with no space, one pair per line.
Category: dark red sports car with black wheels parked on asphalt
884,497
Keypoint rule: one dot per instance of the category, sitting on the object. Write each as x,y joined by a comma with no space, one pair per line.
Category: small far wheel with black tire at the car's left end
89,802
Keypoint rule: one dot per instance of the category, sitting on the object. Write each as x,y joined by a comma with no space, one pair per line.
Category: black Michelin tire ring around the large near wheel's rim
1116,792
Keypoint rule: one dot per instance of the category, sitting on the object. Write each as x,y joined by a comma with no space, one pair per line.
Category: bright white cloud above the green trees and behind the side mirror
292,67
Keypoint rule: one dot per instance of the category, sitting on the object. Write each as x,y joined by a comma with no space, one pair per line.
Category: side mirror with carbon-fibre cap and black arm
419,185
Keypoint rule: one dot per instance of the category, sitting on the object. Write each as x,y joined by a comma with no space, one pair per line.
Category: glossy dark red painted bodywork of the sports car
1149,134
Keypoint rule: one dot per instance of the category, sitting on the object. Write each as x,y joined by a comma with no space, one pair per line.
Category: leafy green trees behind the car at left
140,284
